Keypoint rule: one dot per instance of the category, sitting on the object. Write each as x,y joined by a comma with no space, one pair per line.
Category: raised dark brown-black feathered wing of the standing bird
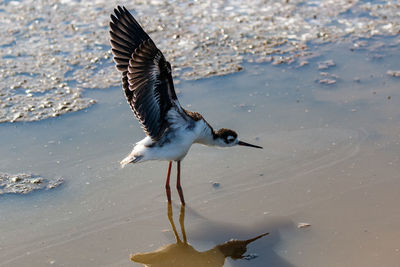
146,75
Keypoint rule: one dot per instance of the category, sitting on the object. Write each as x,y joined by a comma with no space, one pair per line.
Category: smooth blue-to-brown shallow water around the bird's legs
330,159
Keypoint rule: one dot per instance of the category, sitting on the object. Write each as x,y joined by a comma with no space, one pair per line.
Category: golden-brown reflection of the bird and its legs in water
182,253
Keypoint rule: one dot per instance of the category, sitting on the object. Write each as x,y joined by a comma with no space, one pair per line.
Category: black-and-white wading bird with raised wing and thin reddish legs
149,89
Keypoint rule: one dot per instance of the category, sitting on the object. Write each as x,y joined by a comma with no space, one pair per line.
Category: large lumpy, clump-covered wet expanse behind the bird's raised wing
53,52
